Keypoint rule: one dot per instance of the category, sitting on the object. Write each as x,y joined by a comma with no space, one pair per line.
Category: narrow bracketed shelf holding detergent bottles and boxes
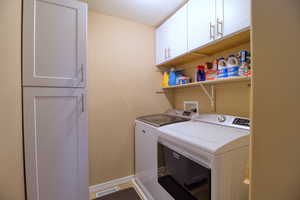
213,82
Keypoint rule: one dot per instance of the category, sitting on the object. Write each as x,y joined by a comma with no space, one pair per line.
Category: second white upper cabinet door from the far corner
177,33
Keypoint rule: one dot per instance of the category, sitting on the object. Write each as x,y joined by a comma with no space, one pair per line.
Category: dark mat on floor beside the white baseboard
127,194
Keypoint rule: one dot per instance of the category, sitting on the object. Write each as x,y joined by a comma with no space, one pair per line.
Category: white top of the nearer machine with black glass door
212,138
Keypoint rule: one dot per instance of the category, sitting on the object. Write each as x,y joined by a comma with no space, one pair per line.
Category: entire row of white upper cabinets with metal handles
197,24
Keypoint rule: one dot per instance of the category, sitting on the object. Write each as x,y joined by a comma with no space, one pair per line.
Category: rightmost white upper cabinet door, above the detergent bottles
232,16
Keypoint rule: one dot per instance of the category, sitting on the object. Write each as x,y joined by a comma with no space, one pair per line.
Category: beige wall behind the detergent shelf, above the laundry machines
231,99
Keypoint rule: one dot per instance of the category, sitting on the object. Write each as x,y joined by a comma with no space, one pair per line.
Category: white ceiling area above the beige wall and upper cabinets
149,12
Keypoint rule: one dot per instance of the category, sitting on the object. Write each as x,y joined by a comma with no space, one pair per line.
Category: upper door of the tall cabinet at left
54,43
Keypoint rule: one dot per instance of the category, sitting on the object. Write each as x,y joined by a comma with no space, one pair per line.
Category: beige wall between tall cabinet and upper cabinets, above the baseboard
122,85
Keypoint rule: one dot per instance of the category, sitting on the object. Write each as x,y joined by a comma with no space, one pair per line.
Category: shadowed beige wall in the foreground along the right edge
276,98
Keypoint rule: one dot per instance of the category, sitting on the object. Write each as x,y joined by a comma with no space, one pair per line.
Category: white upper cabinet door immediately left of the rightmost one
201,23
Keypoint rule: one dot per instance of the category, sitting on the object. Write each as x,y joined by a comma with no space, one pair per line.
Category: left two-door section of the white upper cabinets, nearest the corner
171,37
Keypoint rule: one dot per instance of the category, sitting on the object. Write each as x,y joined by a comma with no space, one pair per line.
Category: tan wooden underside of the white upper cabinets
216,46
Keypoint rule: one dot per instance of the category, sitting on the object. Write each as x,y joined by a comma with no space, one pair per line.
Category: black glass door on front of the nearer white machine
181,177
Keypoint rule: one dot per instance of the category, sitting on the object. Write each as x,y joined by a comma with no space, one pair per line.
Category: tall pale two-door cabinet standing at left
54,99
